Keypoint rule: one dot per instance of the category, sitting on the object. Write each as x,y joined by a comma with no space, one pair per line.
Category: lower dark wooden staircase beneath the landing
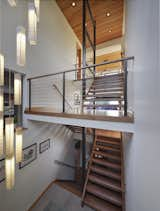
104,186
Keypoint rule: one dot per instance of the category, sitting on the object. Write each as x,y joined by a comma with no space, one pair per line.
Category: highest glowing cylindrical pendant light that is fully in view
32,24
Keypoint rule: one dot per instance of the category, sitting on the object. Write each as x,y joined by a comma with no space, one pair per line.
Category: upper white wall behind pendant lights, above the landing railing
54,35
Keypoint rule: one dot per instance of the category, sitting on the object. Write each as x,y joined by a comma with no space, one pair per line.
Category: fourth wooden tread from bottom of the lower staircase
105,172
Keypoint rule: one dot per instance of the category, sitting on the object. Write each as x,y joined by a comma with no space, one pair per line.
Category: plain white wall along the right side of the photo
143,151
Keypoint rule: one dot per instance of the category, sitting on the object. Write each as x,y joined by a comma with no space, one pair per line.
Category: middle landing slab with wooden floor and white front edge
106,120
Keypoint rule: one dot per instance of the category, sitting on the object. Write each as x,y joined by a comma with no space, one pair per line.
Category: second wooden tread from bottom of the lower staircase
105,194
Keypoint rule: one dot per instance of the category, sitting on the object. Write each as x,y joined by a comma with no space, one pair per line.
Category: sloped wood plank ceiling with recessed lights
107,13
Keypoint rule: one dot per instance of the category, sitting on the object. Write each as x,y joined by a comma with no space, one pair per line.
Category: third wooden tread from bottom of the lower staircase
105,182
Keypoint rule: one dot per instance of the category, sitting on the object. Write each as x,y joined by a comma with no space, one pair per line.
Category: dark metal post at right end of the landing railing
125,87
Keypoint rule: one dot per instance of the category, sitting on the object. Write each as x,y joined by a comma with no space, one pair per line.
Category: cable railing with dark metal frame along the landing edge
40,88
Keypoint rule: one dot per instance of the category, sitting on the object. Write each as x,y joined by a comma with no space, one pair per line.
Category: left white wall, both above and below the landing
55,51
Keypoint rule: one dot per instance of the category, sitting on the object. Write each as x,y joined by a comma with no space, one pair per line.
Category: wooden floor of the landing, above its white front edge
113,116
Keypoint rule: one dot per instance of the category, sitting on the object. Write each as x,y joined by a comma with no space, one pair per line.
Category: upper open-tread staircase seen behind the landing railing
106,93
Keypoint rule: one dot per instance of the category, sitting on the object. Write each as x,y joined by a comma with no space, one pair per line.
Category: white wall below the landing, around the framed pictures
34,178
